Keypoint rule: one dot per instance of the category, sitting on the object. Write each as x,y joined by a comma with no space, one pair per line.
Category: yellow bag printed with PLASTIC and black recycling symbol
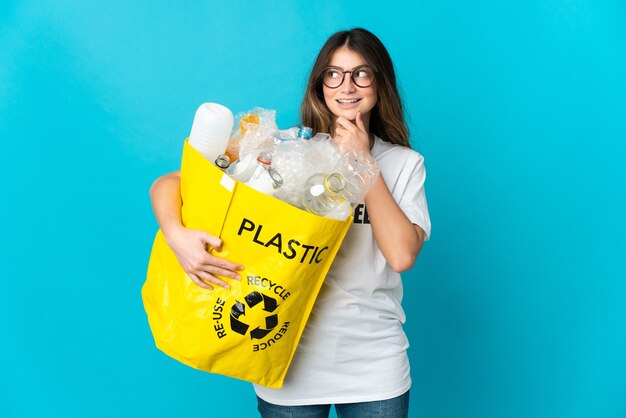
251,331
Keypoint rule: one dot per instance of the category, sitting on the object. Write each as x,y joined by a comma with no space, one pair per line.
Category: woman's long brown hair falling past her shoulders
387,117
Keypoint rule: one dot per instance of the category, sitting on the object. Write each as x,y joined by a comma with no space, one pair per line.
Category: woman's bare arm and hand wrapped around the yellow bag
189,245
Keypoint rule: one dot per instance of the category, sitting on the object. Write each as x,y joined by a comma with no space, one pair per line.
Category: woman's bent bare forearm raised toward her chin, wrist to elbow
398,238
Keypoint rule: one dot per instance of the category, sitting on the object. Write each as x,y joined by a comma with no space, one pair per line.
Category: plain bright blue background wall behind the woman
516,305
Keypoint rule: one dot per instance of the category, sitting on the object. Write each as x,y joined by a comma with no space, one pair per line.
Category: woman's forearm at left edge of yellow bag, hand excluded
167,203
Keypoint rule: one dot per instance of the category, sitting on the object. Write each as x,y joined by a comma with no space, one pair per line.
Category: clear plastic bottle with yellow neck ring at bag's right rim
321,193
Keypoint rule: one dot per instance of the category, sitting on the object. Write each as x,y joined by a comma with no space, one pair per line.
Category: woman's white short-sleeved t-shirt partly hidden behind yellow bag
353,348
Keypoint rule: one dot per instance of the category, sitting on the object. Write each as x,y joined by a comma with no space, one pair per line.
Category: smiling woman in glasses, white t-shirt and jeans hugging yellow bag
353,350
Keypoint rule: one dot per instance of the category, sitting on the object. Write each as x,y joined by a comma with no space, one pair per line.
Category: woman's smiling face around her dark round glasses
348,99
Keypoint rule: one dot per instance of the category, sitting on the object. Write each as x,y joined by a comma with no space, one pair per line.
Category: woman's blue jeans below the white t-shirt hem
389,408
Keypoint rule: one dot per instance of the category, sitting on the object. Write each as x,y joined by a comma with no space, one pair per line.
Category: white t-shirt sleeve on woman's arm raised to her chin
413,199
